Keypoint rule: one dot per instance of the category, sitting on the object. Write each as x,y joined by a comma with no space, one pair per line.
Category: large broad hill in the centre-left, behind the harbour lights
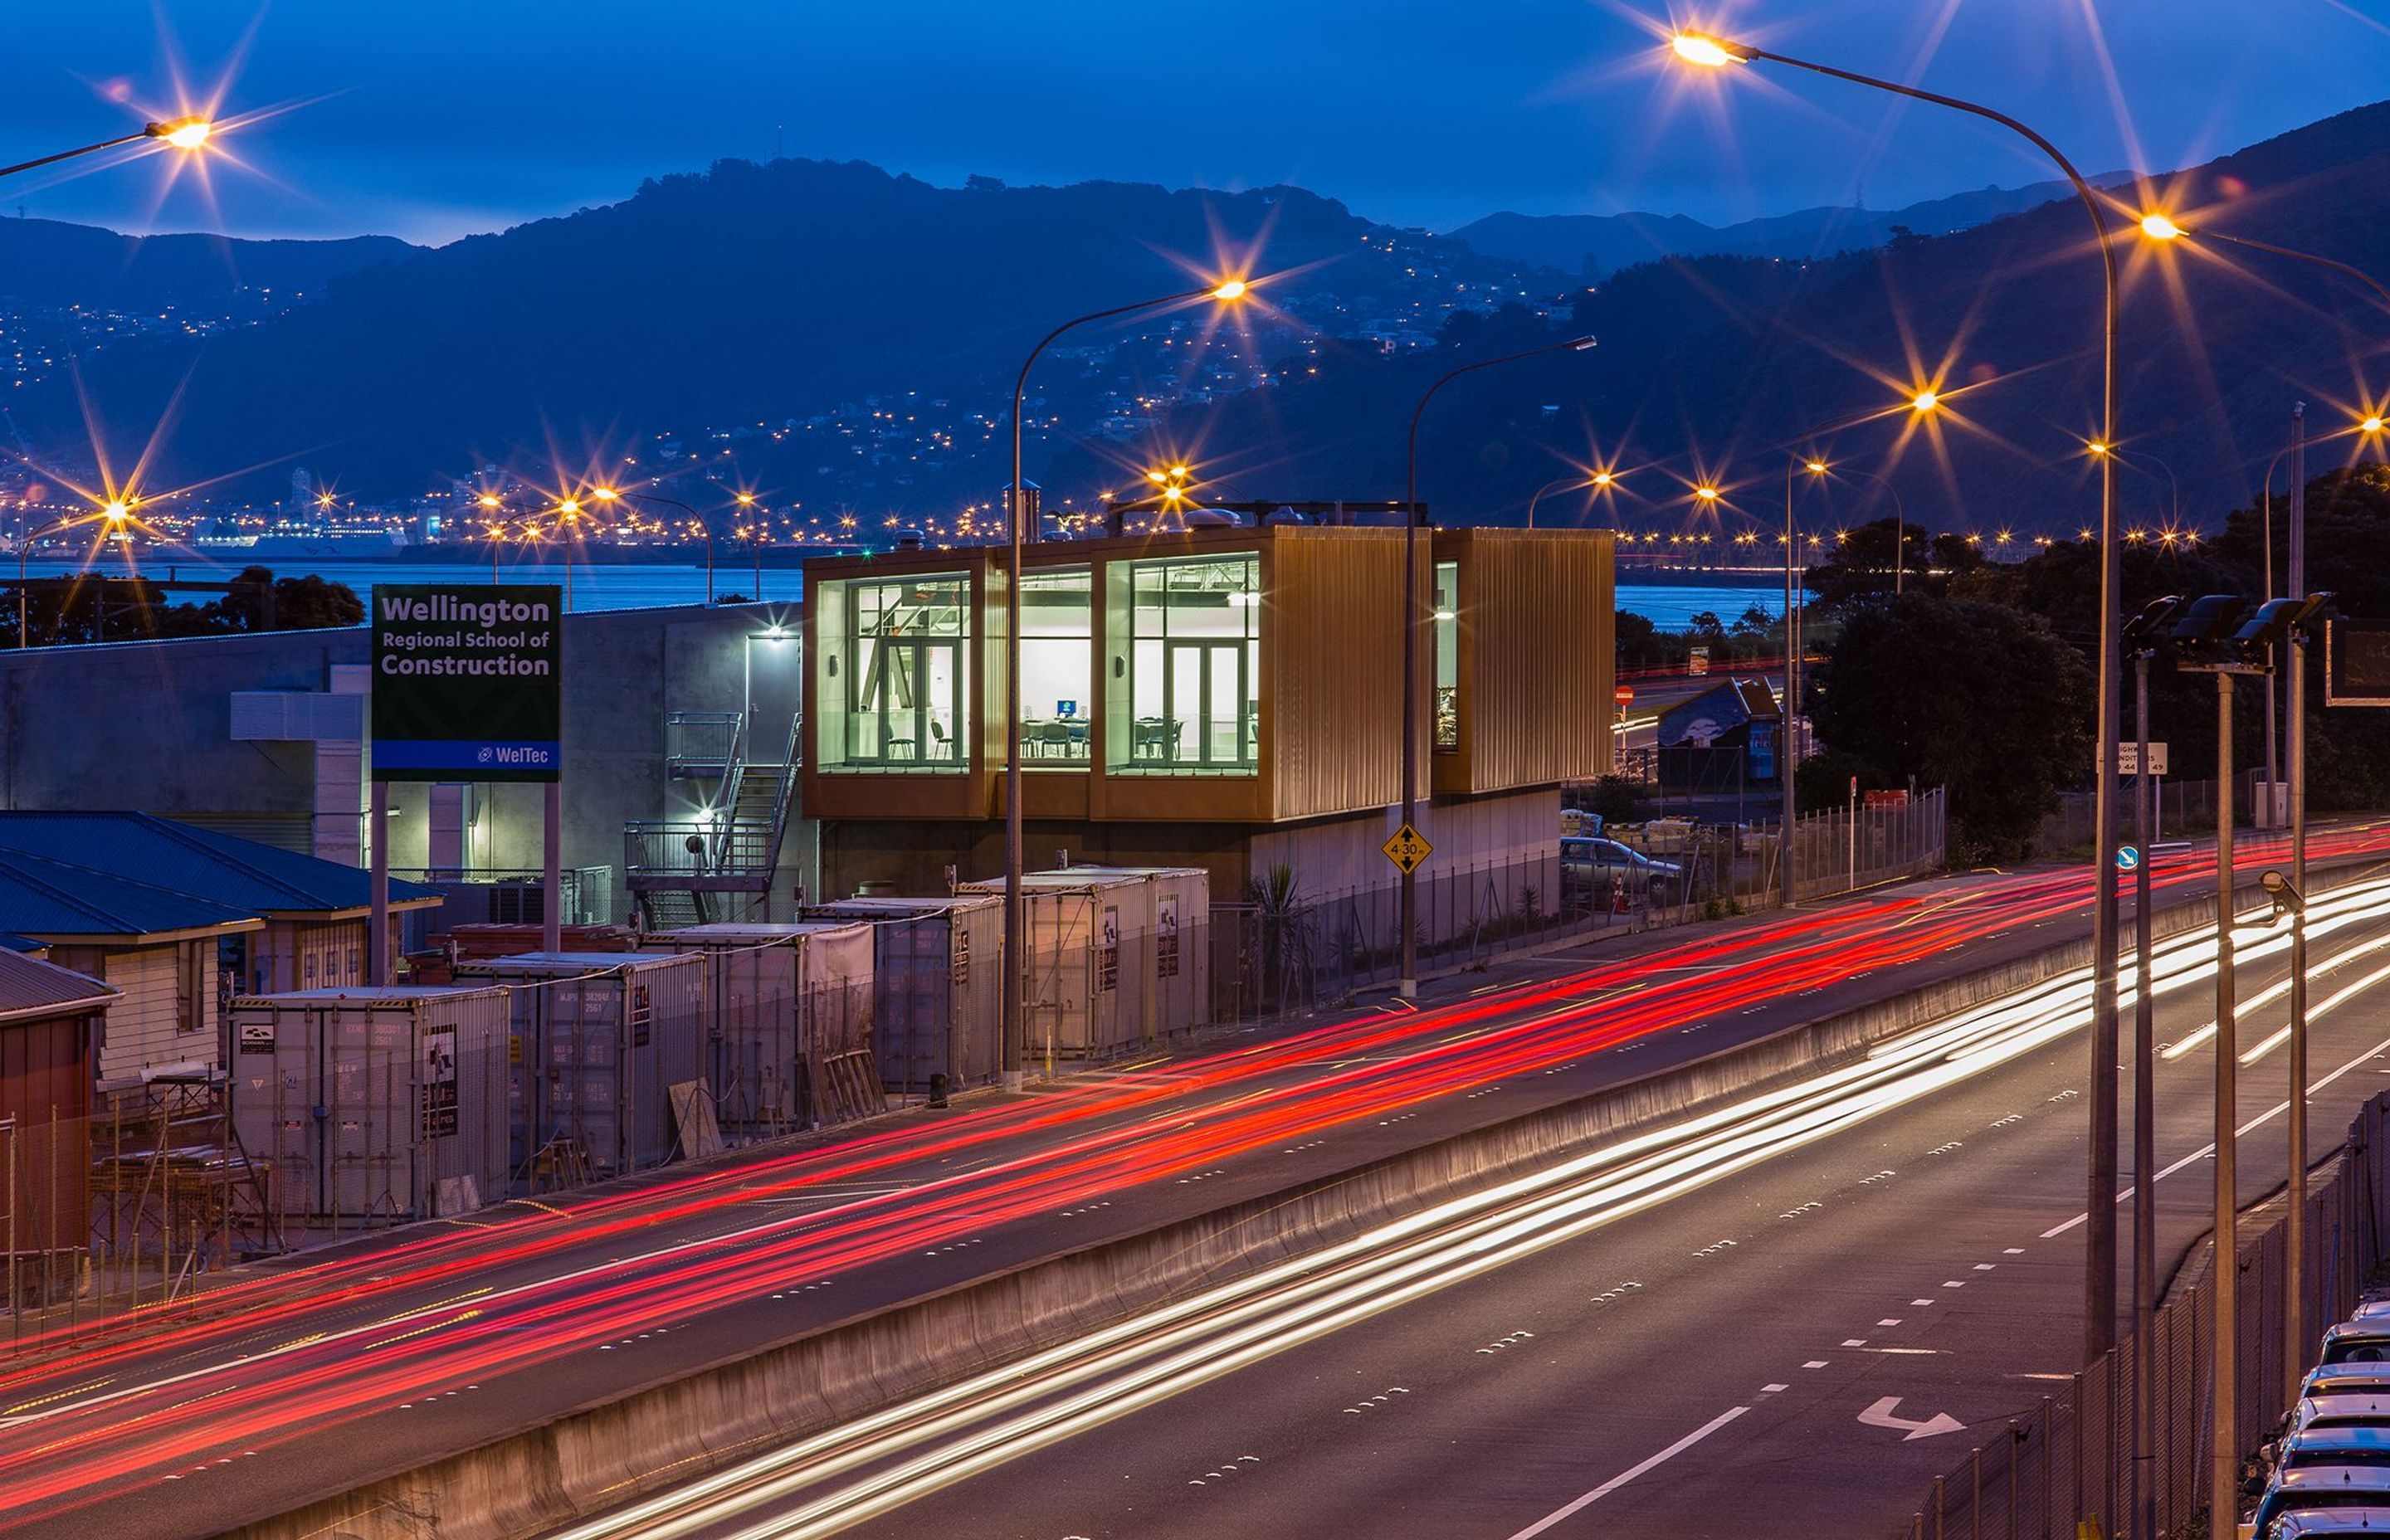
744,305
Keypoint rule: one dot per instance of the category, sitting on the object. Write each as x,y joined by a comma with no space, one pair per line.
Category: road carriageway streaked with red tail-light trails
388,1352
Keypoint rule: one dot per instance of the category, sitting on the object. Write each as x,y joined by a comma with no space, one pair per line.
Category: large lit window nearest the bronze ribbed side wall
1189,668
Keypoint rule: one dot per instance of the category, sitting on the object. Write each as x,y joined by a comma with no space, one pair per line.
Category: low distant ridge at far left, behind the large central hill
47,262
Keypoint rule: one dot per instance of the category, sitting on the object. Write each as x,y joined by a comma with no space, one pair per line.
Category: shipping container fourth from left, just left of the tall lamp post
938,986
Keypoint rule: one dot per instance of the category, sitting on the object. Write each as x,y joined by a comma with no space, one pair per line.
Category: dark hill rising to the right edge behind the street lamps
1732,365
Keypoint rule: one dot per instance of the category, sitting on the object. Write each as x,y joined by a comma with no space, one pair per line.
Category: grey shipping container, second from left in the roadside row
601,1041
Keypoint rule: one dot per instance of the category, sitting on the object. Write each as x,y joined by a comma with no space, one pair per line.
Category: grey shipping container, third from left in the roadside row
790,1037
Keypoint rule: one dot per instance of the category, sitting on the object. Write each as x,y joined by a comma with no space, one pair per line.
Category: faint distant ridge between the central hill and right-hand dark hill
1619,240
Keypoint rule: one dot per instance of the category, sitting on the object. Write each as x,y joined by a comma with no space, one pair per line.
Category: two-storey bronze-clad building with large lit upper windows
1213,697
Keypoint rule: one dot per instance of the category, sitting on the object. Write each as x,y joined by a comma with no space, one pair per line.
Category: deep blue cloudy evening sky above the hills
439,118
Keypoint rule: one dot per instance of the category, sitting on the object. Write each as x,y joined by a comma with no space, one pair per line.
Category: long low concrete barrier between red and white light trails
663,1434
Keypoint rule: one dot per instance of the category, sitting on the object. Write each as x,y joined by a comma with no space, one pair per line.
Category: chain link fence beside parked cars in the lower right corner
2069,1462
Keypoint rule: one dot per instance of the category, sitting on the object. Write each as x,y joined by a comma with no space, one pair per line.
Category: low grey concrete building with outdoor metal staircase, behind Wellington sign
678,728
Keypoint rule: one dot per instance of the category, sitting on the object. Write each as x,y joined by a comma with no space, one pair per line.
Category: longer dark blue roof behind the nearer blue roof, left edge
202,864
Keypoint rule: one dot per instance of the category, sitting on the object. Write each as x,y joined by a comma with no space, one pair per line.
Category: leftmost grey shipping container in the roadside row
374,1106
